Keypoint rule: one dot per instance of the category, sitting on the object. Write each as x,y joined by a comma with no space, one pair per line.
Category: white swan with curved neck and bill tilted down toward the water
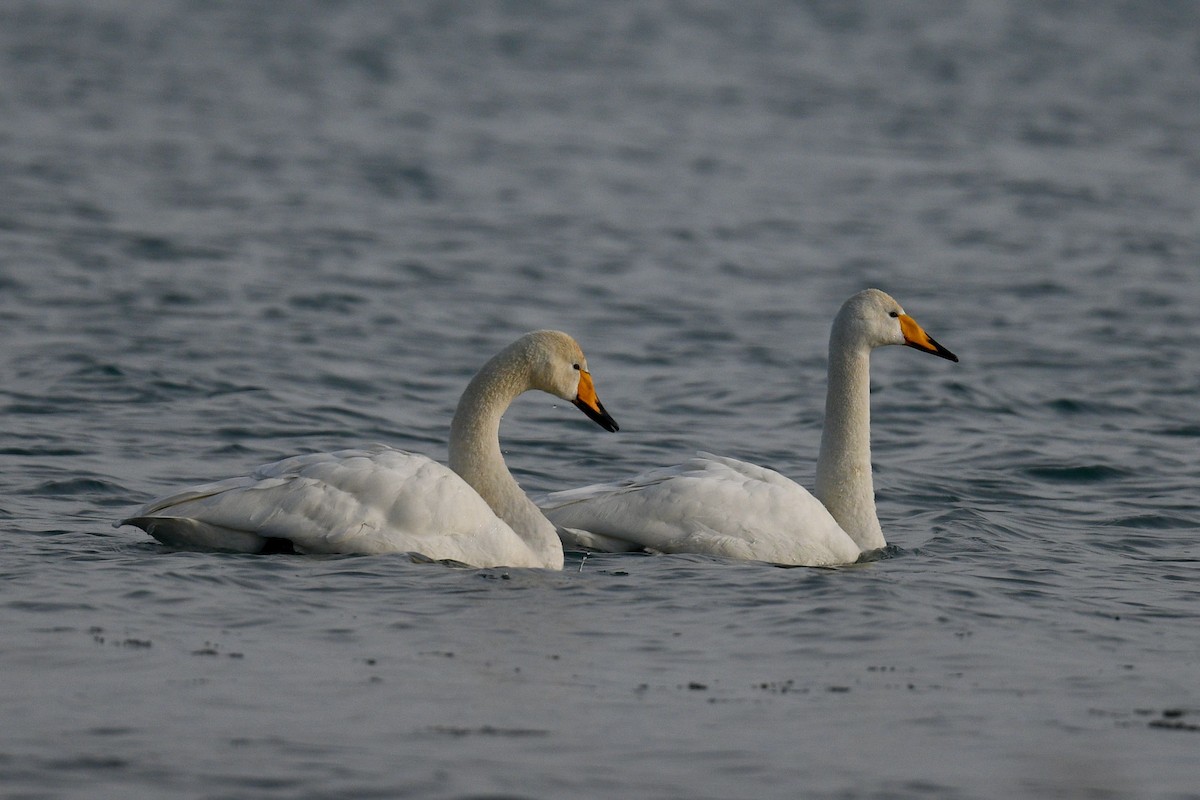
380,500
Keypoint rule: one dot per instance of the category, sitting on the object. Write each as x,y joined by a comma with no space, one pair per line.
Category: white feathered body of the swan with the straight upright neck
709,504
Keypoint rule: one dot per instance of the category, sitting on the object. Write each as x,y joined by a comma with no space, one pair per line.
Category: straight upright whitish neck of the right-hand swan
844,468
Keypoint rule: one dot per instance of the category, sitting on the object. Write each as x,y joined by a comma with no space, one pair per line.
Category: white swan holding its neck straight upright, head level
729,508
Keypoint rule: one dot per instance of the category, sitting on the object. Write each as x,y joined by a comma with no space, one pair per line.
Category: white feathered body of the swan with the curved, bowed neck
371,501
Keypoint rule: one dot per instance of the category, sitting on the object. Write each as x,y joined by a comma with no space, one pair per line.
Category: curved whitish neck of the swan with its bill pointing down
476,452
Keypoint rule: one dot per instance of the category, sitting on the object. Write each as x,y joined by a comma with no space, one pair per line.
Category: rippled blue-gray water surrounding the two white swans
237,232
